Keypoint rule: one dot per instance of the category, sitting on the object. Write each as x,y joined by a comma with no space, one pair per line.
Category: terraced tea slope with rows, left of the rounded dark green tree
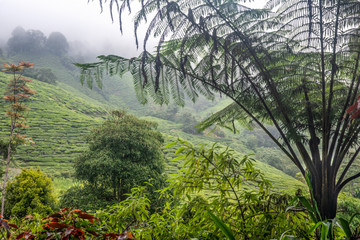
58,121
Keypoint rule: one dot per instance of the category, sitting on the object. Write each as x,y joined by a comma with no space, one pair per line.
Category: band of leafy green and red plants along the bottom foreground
233,212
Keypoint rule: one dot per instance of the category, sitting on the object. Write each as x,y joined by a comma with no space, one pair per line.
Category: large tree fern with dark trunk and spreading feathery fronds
294,64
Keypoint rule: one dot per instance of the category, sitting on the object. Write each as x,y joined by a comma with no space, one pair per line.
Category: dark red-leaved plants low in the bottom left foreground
68,224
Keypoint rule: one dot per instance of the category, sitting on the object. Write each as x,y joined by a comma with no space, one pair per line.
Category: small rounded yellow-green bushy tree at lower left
30,192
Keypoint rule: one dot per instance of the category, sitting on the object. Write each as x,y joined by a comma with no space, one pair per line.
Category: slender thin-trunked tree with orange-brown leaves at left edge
15,95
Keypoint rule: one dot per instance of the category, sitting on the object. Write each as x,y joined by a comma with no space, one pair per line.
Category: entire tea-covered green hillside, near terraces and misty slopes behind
64,113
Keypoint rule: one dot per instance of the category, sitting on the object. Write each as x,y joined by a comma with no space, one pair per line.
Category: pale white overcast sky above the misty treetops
76,19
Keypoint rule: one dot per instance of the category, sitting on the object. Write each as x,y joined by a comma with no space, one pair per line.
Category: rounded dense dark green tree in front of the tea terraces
124,152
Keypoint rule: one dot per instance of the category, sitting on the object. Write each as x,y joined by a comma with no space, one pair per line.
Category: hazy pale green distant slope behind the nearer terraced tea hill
115,93
